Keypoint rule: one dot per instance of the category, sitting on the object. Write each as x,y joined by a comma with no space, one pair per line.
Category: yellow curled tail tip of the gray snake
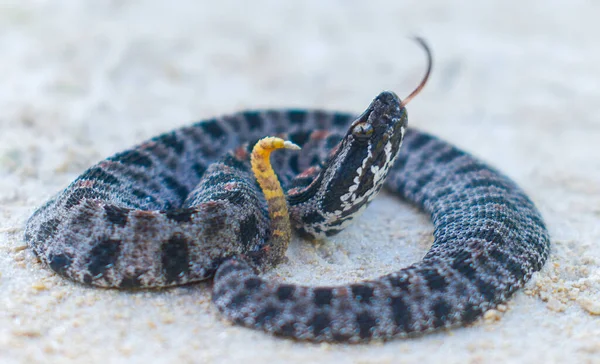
281,231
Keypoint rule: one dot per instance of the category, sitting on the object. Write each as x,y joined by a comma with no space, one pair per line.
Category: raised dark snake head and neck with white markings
355,172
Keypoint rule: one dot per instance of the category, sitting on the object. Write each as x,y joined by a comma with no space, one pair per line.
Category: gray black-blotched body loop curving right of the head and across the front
489,240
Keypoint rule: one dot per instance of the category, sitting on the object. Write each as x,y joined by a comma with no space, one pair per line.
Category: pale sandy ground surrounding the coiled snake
515,83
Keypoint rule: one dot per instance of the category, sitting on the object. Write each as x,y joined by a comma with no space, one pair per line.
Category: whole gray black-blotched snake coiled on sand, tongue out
185,206
